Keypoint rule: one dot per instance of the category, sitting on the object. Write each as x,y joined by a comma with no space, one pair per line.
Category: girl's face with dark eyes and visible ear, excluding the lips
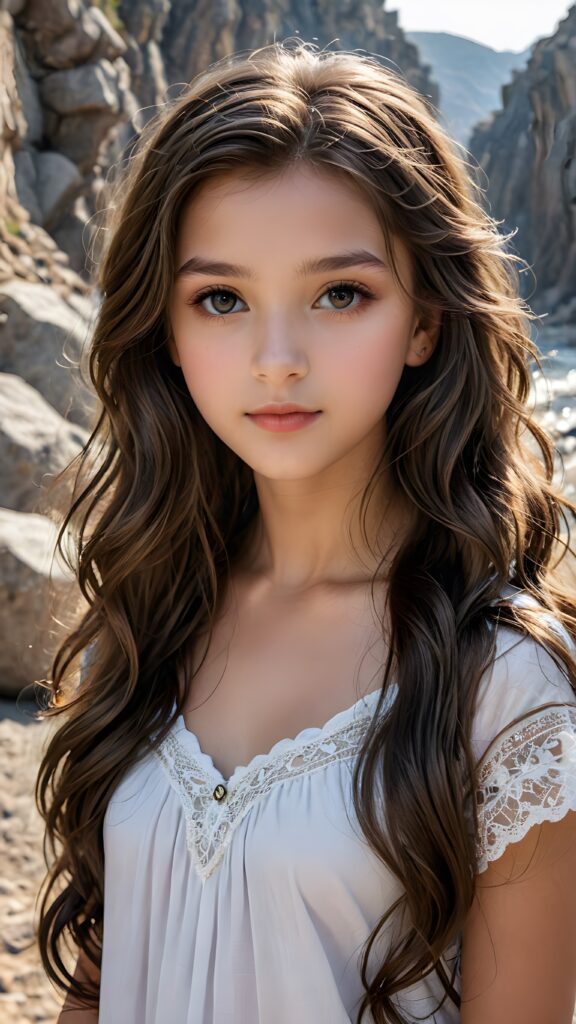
305,312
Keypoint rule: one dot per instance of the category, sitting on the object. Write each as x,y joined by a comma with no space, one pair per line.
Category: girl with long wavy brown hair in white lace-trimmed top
321,761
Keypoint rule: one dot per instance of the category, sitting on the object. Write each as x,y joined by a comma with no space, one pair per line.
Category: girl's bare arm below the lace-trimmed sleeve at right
519,944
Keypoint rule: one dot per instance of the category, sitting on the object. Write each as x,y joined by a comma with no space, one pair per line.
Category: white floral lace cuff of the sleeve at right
527,777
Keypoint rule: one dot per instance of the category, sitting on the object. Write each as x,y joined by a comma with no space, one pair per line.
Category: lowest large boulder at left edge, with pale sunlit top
33,586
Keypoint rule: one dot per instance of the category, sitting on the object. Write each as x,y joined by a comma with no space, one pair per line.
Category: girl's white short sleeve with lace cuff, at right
525,742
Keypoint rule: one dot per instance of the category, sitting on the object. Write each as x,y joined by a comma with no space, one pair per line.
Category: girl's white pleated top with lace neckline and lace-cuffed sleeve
249,901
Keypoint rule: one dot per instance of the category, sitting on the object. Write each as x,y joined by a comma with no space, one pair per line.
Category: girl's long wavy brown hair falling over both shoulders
162,508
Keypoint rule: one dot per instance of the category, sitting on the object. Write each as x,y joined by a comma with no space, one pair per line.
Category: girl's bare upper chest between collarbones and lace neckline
275,667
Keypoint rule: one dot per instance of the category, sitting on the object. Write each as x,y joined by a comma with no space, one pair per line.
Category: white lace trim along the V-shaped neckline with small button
211,824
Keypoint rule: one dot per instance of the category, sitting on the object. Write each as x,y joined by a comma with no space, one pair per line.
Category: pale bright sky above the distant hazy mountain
504,25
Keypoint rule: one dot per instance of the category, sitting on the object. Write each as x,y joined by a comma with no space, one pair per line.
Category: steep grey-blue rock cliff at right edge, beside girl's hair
528,151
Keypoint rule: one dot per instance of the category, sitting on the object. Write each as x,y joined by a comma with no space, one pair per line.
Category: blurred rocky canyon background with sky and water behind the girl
77,84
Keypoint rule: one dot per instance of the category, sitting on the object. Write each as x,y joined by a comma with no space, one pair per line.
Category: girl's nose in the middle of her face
278,352
